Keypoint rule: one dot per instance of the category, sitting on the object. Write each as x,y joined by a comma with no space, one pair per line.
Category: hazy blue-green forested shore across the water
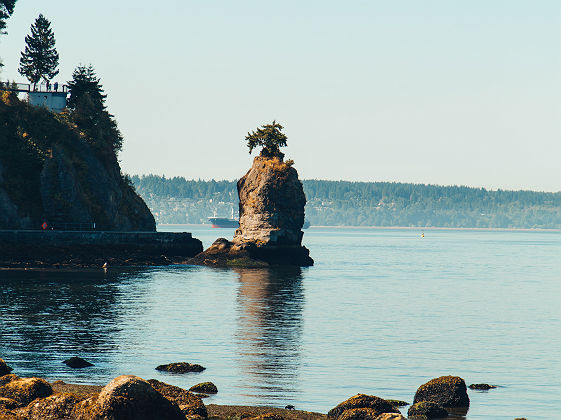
344,203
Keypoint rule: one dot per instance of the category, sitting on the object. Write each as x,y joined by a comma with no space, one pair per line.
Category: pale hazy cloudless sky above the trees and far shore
432,91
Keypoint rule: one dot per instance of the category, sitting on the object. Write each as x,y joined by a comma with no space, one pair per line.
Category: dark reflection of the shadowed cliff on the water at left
46,317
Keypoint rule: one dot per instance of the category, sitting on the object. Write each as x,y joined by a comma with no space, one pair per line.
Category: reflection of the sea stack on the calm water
270,324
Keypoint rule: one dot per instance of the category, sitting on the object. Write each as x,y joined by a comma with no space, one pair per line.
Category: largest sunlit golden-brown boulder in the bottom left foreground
128,397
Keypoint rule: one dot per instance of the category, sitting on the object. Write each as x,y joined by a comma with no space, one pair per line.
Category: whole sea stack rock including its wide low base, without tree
271,212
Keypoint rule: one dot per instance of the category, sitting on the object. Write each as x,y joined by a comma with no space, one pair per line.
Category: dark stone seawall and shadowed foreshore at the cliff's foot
24,248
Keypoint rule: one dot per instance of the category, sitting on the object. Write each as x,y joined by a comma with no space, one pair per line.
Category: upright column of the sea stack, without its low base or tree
272,204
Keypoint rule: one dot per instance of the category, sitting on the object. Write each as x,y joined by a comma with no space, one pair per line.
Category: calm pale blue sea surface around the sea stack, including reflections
381,312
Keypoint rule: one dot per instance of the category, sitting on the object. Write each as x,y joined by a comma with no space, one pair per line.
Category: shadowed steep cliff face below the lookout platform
50,172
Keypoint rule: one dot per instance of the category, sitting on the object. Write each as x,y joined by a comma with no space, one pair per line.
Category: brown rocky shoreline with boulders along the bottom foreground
131,397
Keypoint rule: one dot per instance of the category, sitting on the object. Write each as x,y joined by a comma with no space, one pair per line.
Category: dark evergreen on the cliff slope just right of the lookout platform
89,113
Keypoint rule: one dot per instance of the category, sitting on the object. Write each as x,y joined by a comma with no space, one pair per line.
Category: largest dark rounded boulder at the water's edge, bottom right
446,391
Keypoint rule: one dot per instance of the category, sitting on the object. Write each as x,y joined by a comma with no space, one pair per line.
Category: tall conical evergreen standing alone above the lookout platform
40,58
